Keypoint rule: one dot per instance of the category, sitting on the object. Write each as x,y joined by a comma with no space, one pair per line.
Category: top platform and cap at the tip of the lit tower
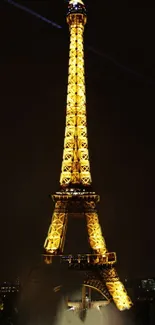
76,7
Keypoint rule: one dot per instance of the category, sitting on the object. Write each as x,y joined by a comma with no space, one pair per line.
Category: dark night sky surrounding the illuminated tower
120,106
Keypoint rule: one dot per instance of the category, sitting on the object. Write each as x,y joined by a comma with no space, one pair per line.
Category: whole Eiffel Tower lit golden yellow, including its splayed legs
76,196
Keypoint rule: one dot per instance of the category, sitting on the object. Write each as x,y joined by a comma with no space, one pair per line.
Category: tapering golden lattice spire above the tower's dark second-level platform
75,165
